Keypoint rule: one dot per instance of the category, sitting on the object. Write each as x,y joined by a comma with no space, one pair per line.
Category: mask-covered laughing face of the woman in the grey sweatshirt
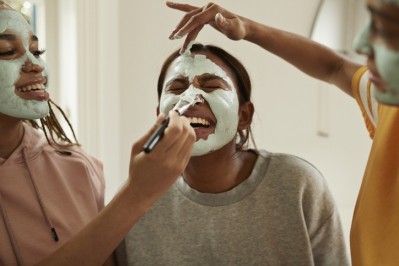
215,122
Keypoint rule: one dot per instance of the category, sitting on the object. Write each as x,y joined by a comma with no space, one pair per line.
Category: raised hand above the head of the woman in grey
230,24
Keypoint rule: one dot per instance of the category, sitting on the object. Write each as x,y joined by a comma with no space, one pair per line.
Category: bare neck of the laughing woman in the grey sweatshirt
220,170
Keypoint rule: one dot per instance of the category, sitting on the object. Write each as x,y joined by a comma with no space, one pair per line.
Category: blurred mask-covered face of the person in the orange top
379,40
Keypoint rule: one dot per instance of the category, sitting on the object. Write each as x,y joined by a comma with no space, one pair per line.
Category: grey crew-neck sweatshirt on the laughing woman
282,214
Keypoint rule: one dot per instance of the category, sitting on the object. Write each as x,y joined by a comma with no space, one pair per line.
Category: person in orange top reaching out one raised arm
375,226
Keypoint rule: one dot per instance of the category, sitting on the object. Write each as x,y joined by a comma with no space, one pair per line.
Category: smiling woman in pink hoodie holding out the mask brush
51,191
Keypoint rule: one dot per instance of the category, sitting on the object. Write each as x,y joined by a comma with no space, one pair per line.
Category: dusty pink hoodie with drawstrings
71,188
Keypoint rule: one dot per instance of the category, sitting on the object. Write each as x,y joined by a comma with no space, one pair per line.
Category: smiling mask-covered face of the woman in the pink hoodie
22,81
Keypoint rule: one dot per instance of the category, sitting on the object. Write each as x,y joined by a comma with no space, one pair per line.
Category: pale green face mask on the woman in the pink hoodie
10,103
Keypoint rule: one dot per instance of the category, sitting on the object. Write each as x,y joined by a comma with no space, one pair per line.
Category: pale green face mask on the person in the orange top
386,60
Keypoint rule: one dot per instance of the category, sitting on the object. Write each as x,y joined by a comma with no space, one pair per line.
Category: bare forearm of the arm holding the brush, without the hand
96,242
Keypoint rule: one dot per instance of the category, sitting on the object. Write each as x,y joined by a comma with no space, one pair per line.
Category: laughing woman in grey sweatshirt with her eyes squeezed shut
232,205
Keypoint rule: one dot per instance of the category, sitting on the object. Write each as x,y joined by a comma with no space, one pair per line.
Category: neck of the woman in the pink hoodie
11,132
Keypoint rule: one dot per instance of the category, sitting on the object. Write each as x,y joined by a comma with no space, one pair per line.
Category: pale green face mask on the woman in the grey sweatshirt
223,103
